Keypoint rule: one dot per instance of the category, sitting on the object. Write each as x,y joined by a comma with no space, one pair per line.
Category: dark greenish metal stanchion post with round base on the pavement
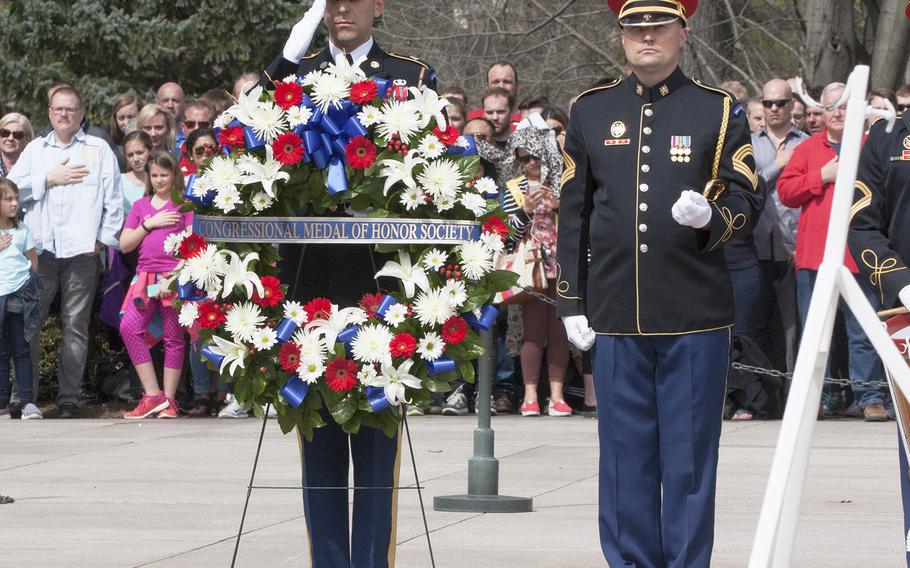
483,468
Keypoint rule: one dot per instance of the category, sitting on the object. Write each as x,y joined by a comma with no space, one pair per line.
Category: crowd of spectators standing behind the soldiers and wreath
84,239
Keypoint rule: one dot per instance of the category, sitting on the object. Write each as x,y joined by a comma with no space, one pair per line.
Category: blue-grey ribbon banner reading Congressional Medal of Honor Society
350,230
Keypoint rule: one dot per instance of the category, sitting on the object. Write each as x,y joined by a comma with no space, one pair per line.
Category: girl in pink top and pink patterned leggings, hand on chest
150,221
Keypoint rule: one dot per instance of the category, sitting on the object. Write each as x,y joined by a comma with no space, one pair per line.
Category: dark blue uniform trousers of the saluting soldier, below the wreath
370,542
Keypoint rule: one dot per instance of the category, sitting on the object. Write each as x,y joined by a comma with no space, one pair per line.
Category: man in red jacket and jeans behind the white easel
808,183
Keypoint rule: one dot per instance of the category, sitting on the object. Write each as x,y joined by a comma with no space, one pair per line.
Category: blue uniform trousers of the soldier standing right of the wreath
659,401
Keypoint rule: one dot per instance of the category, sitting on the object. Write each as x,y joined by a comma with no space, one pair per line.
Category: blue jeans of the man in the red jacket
865,364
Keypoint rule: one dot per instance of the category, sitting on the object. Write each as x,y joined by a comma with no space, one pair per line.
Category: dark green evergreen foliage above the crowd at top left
106,47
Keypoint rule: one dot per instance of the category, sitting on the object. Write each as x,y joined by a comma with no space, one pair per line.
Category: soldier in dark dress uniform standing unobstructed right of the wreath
660,173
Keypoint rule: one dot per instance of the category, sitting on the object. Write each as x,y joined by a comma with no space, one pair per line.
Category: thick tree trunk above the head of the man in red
831,45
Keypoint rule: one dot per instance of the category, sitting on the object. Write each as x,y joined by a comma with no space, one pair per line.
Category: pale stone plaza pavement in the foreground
100,493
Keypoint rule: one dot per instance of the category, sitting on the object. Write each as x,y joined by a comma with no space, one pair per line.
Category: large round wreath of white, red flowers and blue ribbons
330,139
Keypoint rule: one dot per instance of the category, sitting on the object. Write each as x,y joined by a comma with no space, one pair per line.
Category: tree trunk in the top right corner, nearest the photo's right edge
889,58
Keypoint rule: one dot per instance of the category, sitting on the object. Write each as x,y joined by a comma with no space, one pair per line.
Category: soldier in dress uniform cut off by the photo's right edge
879,240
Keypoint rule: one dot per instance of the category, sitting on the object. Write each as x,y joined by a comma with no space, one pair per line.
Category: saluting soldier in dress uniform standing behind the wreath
343,273
